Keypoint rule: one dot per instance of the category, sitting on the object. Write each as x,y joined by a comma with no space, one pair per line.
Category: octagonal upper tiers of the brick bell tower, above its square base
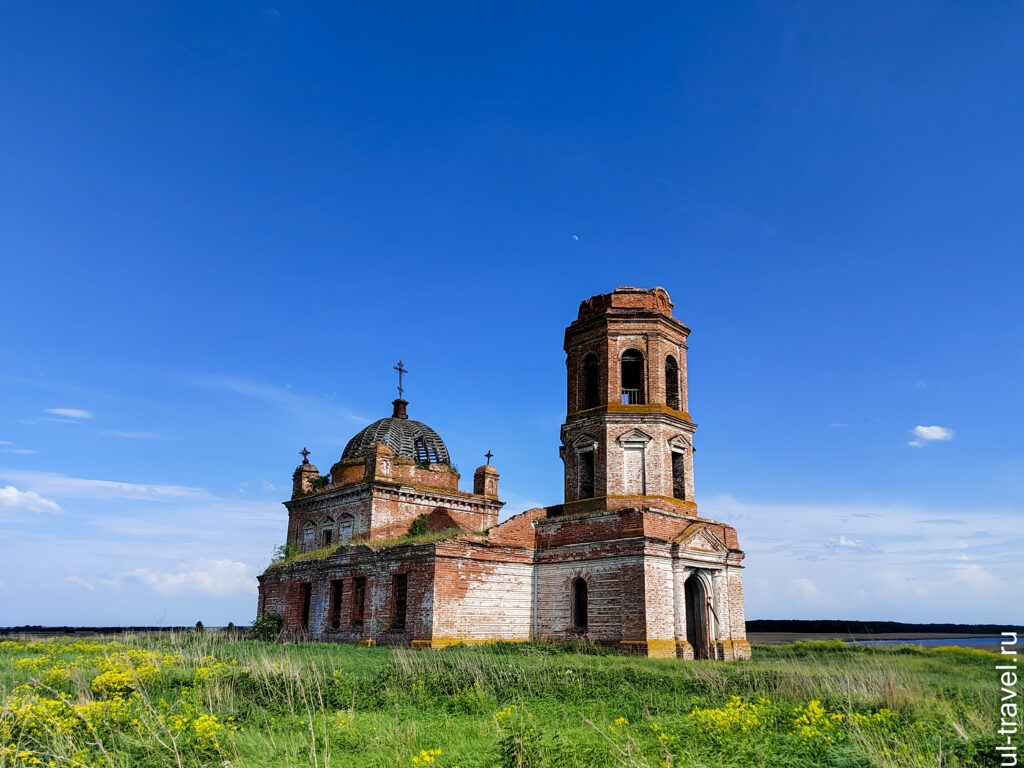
628,439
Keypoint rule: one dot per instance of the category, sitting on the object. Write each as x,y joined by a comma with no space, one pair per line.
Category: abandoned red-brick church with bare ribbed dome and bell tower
626,561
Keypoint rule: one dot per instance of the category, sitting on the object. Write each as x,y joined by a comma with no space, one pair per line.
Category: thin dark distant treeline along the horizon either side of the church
793,626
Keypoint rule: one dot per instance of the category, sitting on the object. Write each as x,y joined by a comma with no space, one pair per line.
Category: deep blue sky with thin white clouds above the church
222,226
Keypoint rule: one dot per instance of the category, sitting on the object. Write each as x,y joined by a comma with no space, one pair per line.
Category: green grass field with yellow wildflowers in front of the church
205,700
